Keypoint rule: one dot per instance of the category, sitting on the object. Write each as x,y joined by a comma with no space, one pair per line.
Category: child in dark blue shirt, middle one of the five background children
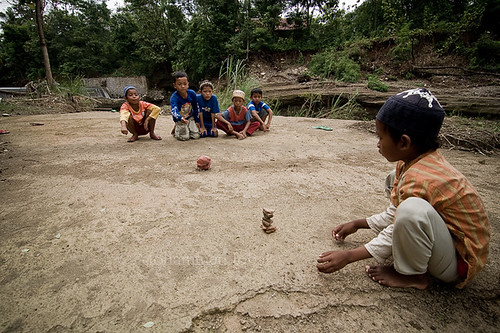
208,107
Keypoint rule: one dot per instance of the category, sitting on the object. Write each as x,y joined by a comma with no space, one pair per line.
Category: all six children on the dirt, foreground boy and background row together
436,224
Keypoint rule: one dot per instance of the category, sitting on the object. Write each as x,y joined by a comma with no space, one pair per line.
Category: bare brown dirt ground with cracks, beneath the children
101,235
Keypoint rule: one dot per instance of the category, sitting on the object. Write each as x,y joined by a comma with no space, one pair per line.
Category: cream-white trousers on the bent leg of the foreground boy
422,243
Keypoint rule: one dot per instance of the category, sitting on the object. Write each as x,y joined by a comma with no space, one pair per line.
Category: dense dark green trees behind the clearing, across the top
154,37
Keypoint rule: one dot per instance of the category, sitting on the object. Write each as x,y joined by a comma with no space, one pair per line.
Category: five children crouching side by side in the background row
196,115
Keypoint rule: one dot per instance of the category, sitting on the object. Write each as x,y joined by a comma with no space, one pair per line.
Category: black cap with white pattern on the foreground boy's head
414,111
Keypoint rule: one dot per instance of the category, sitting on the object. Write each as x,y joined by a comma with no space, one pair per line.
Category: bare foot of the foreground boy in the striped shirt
388,276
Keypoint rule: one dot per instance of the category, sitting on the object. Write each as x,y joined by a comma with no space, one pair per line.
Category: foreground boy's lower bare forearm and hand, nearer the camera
331,261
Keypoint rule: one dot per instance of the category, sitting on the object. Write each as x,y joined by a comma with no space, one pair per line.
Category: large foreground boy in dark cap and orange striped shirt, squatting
436,224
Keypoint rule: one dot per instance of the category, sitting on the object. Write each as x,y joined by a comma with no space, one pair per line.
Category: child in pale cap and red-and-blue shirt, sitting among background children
236,119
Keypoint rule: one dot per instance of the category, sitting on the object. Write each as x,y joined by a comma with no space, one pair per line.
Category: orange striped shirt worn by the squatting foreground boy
432,178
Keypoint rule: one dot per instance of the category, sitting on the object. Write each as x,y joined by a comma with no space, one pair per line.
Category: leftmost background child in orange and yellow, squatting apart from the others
136,116
